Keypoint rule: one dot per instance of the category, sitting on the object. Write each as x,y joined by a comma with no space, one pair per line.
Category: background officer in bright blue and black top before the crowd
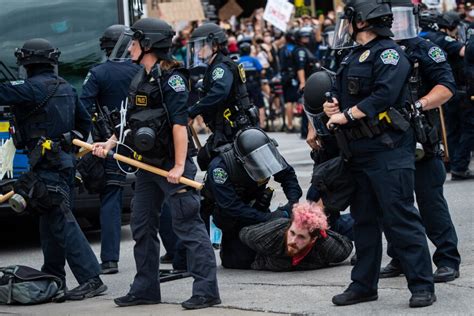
253,73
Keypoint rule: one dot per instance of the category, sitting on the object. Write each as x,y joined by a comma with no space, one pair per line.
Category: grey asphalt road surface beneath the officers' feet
252,292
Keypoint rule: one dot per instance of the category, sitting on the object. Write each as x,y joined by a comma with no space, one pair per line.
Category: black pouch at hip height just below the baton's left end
92,172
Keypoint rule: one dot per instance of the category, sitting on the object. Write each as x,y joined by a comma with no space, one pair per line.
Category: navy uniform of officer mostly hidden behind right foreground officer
432,68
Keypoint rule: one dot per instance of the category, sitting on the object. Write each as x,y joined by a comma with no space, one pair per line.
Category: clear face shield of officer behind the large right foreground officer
405,24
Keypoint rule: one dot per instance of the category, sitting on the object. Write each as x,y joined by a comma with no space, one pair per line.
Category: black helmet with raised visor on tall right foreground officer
378,14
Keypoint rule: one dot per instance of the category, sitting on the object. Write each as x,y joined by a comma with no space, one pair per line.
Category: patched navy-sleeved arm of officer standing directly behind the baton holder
222,79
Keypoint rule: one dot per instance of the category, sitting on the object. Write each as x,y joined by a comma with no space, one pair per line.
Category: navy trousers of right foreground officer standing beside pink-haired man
384,199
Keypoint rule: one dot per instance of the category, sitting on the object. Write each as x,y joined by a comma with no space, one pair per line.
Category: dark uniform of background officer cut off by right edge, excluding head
459,118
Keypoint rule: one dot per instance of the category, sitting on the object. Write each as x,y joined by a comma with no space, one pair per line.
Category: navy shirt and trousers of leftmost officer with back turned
61,238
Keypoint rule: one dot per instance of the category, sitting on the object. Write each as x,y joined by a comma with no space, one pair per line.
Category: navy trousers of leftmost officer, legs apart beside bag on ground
61,237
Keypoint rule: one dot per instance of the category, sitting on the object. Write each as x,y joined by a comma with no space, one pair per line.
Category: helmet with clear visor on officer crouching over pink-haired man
258,154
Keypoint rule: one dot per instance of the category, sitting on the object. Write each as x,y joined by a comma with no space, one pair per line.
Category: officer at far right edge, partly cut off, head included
459,116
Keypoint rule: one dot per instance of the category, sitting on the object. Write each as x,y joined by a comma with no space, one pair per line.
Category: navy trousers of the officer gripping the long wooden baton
150,192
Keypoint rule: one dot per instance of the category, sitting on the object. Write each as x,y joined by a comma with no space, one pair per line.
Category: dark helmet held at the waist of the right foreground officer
314,97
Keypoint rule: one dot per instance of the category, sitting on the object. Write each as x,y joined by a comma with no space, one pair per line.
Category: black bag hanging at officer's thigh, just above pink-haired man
334,182
